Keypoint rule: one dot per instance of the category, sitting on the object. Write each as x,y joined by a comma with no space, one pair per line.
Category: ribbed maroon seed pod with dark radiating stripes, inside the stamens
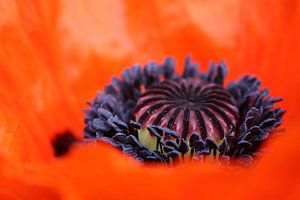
187,106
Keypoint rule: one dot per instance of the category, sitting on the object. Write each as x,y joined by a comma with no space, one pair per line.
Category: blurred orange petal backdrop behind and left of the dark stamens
53,65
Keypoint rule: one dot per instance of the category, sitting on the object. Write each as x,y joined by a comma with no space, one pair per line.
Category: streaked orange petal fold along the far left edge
27,93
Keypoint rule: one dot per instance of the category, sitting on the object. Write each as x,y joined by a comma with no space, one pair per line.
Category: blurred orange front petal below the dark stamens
101,172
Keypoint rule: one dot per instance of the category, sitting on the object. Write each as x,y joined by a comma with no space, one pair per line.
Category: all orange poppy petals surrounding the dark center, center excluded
56,55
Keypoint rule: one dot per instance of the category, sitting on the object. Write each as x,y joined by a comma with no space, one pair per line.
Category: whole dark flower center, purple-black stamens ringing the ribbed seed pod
154,114
